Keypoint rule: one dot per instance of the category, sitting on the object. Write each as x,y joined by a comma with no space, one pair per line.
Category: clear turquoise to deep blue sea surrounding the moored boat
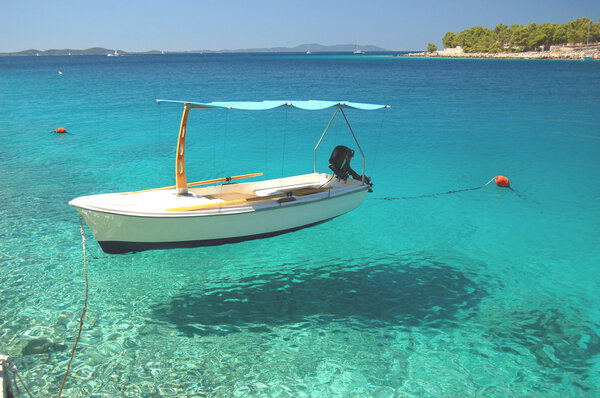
484,293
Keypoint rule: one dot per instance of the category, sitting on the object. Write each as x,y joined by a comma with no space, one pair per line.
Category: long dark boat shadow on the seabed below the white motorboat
408,295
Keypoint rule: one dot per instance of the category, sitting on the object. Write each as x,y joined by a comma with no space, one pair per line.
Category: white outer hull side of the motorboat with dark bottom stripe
124,233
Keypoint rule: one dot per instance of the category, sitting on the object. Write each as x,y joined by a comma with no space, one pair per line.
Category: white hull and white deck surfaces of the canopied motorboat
123,229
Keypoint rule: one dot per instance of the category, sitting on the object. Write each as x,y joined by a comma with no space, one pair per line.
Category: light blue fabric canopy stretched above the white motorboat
310,105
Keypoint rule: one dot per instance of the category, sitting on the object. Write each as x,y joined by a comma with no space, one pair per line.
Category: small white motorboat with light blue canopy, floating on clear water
207,213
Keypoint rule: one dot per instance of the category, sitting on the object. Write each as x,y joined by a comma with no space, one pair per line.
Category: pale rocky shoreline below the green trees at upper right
554,52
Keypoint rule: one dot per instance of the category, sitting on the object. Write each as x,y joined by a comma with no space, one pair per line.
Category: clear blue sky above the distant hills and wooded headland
136,25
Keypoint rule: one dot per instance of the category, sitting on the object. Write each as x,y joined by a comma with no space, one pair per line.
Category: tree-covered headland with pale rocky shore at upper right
570,40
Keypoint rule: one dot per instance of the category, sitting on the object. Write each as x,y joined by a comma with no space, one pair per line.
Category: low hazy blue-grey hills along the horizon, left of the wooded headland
312,48
